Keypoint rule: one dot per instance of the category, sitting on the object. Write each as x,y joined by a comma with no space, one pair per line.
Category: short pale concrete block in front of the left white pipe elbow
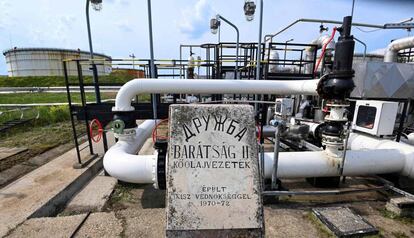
93,196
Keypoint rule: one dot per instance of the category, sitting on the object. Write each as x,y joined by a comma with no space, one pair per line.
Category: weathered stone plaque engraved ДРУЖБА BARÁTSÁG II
213,182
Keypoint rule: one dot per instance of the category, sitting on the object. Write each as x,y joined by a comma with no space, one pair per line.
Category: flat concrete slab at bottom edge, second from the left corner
101,225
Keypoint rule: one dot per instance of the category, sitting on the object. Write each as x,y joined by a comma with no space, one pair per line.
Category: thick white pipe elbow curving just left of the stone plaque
122,162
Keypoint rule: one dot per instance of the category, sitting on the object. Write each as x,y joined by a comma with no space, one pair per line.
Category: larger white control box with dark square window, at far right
375,117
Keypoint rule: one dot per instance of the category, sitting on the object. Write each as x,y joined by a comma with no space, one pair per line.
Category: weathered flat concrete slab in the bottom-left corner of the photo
48,227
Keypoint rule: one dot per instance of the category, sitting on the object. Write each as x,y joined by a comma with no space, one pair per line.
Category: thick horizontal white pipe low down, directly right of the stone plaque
320,164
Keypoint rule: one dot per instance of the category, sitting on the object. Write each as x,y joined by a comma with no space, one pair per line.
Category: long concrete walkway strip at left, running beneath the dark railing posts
43,191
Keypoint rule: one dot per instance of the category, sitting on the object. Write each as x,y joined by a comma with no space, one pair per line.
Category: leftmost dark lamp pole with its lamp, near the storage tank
97,6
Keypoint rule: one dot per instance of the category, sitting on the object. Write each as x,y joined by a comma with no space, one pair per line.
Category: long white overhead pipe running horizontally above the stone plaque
219,86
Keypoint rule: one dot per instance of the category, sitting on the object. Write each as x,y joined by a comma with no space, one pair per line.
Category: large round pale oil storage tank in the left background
48,62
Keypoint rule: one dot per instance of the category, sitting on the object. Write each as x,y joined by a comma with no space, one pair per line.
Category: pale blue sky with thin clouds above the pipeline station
121,27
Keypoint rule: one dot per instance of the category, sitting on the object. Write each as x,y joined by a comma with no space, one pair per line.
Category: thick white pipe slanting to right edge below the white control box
369,143
